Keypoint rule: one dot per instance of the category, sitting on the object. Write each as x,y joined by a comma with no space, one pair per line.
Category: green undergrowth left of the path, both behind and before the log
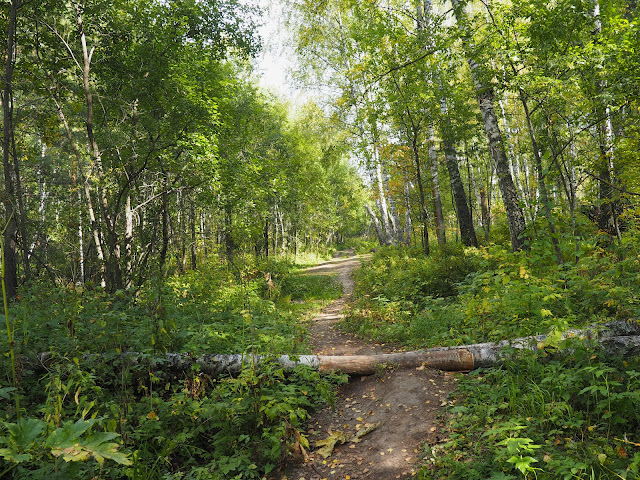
152,424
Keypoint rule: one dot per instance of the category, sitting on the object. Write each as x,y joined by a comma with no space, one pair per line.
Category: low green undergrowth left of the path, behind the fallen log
209,310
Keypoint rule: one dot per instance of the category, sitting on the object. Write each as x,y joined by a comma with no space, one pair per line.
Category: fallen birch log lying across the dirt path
621,337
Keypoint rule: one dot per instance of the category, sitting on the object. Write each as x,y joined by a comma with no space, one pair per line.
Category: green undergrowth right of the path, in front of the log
569,417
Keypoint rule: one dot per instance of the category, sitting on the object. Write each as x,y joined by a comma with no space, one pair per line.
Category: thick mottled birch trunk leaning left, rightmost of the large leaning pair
485,97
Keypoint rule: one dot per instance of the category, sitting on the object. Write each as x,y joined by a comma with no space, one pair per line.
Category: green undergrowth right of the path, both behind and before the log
544,414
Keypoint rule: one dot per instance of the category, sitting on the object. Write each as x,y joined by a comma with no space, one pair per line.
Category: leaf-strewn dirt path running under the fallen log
401,406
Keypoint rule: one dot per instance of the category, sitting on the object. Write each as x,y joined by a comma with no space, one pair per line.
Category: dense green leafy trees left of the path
134,141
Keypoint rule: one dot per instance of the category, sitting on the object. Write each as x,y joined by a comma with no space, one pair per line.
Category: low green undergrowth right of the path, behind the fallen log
472,296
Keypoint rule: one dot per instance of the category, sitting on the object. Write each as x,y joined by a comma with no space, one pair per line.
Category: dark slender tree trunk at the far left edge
10,228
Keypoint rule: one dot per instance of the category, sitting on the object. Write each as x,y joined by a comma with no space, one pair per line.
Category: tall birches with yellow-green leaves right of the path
530,102
